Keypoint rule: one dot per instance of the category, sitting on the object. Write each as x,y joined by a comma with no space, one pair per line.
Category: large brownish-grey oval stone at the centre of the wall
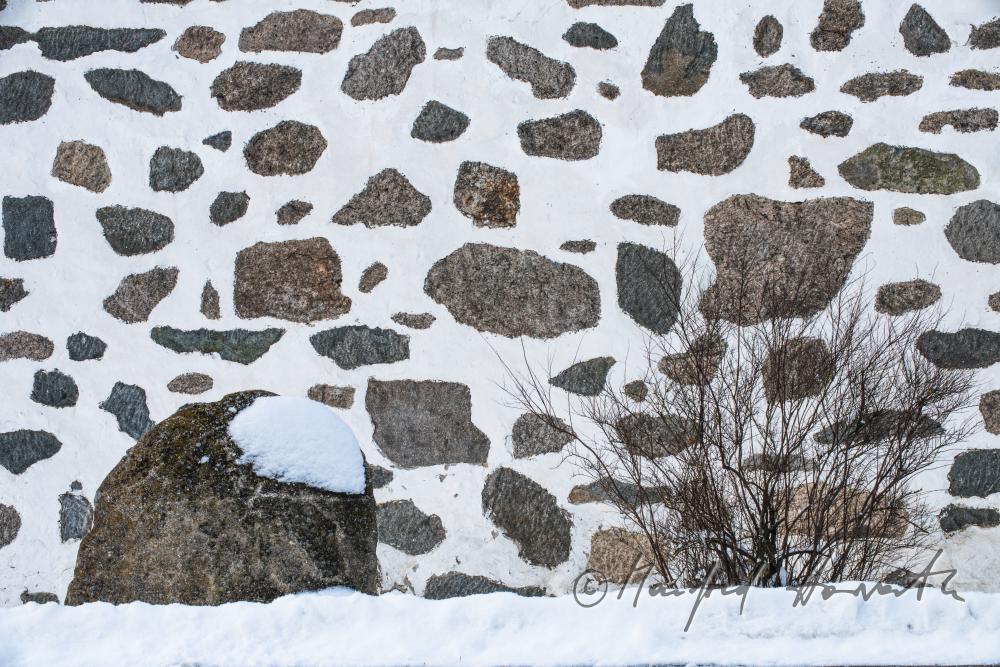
513,292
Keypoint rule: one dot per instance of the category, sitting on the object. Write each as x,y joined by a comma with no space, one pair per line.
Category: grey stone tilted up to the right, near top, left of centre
386,67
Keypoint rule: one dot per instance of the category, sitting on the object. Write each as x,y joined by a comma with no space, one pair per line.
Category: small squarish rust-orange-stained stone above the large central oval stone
491,196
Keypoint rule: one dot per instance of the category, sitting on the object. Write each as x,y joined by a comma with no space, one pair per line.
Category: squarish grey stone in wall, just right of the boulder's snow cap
425,423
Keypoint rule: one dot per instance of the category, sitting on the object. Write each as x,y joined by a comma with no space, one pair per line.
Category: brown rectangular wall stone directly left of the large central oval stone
291,280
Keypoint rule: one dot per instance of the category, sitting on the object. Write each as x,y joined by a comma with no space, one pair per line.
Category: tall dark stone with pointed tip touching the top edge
681,58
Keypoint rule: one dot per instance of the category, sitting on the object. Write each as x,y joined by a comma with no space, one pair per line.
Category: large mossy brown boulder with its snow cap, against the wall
190,516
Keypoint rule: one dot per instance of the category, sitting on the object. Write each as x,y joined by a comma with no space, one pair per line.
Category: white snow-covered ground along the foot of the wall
339,627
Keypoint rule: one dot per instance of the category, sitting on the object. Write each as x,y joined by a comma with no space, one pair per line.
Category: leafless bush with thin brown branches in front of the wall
782,449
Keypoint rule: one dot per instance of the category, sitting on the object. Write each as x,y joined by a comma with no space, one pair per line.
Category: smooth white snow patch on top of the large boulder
299,440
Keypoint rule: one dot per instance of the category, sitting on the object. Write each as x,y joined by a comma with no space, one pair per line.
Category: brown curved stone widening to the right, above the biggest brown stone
713,151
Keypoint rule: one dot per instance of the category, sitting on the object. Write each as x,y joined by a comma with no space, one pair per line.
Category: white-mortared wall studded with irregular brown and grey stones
376,204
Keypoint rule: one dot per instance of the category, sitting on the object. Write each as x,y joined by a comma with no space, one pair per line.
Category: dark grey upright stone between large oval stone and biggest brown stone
649,287
